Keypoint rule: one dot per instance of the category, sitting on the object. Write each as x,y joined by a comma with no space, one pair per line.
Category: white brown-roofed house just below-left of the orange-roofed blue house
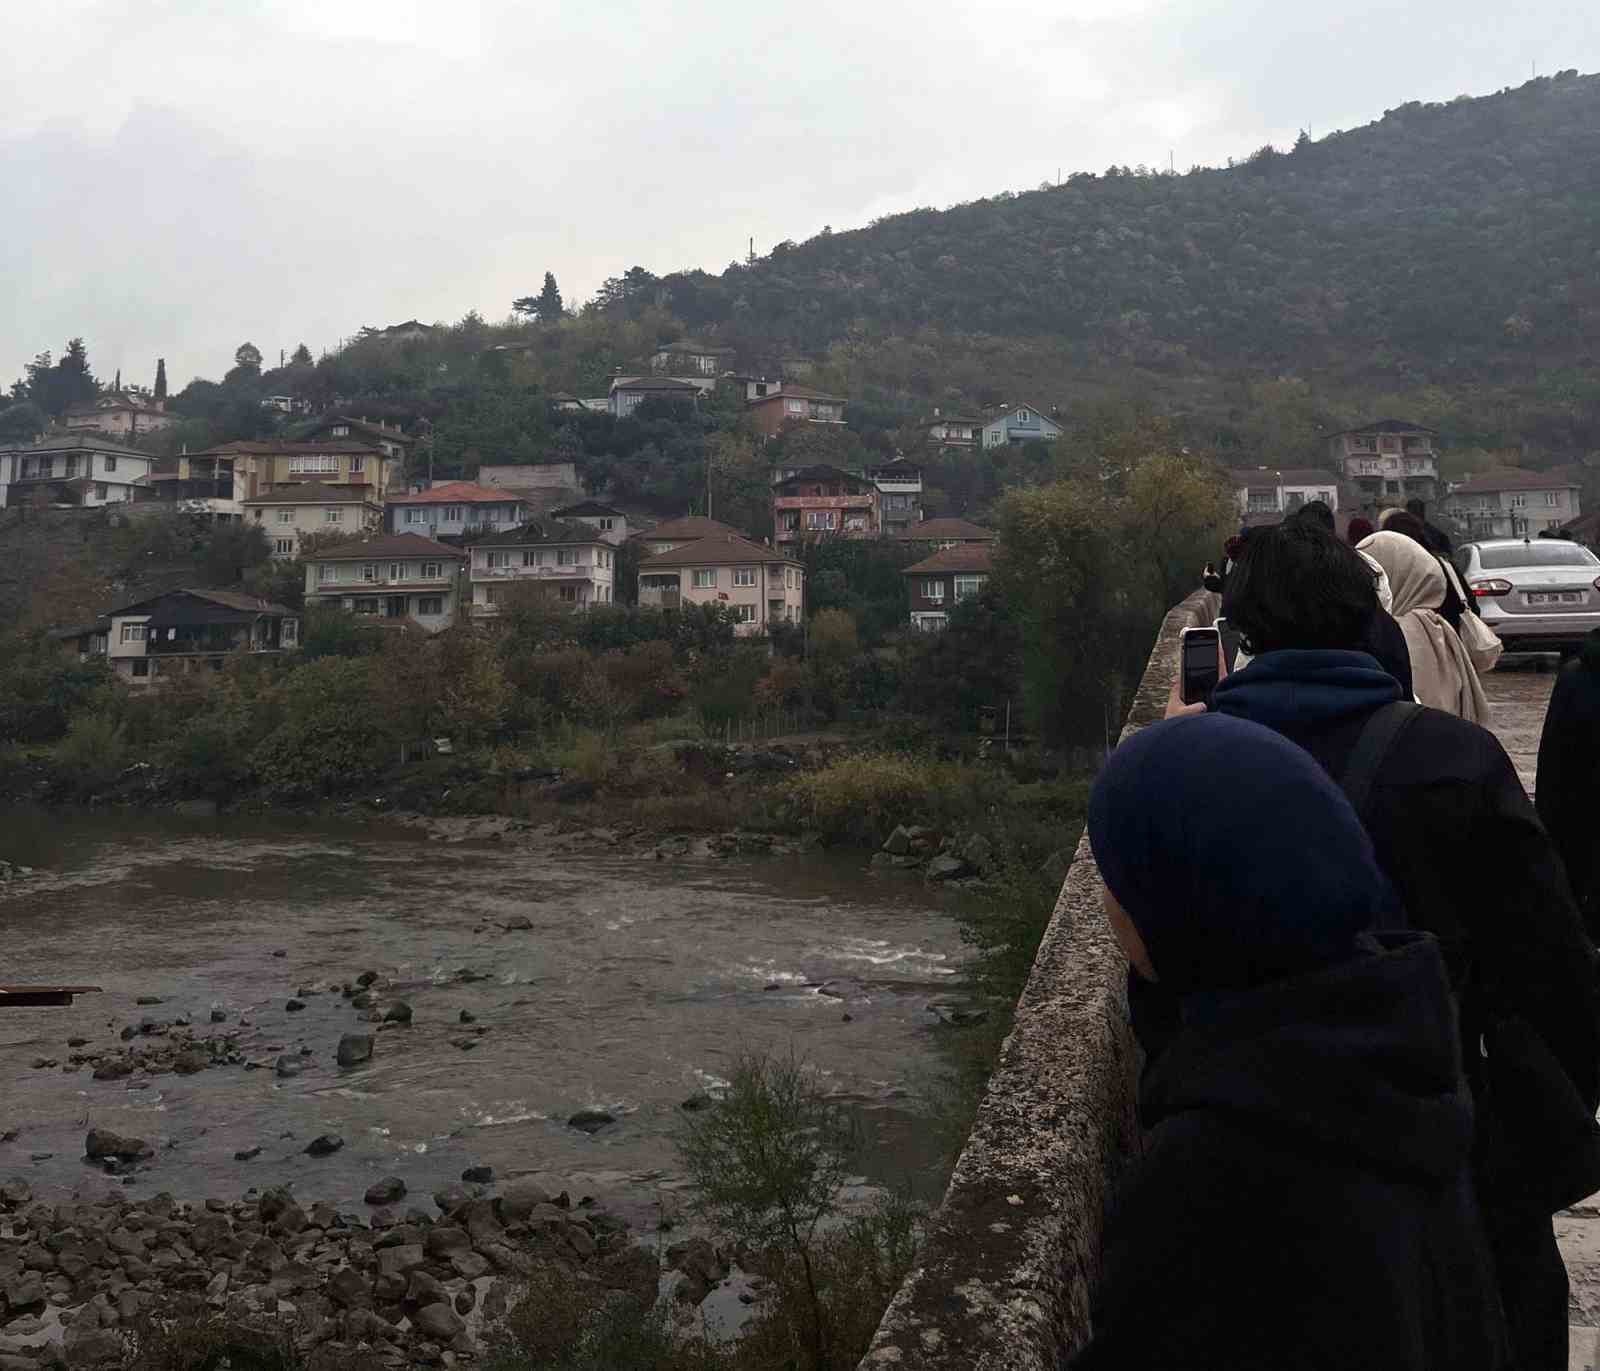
398,577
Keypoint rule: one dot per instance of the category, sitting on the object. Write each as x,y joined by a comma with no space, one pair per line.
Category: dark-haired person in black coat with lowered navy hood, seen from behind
1462,844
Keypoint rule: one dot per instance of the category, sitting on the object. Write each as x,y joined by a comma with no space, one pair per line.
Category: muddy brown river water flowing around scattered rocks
636,986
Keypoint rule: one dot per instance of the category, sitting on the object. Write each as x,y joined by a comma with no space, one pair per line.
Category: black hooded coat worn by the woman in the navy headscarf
1303,1201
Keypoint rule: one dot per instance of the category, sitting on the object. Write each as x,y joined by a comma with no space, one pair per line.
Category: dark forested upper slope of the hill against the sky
1444,238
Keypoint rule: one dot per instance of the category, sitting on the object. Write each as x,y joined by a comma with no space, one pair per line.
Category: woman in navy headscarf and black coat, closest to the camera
1305,1194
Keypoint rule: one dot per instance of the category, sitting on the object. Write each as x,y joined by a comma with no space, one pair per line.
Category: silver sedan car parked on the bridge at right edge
1540,594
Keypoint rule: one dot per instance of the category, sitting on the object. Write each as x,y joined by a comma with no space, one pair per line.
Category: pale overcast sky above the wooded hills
182,175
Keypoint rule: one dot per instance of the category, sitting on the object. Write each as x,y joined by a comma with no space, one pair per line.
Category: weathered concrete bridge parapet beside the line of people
1012,1255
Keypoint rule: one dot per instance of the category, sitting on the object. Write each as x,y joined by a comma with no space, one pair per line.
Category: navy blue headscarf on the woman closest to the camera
1234,855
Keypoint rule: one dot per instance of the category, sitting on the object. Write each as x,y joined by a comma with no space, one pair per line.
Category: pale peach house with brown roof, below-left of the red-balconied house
761,586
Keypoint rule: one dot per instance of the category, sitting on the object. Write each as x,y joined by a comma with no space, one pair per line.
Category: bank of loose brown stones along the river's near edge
409,1281
